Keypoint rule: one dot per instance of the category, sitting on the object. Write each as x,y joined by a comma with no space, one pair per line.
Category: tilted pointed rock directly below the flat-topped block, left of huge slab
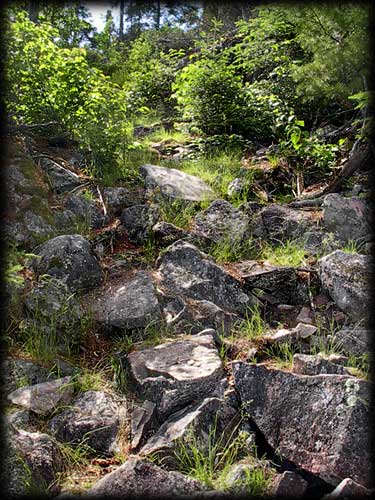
208,422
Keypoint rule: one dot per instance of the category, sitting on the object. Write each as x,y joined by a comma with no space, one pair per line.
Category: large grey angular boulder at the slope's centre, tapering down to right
186,271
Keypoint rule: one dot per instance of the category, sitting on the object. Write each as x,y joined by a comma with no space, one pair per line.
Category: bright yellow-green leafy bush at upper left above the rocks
47,82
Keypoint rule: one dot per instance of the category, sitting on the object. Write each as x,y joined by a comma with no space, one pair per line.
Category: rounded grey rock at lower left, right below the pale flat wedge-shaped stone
93,418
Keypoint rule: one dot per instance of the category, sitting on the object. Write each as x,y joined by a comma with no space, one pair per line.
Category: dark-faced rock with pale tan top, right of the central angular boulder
286,284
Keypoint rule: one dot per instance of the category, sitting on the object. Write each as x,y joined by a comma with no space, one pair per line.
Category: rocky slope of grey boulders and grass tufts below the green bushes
161,358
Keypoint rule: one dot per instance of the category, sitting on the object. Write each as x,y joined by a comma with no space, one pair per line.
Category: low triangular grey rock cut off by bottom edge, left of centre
138,478
